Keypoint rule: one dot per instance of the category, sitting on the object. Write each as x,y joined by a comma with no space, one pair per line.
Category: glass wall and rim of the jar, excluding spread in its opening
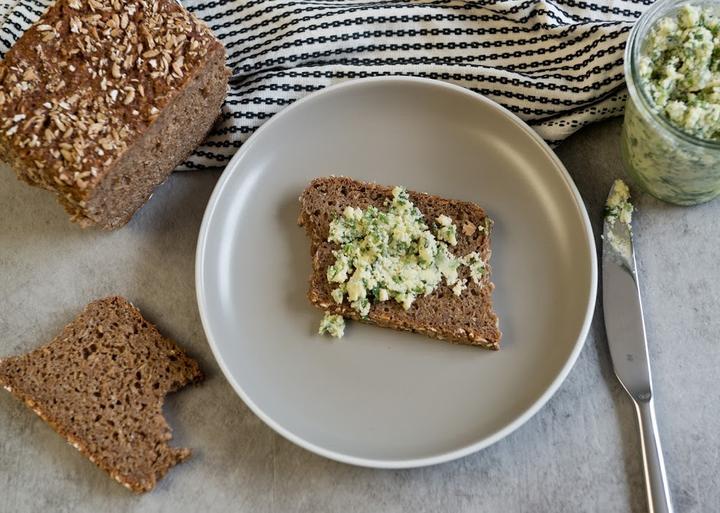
667,162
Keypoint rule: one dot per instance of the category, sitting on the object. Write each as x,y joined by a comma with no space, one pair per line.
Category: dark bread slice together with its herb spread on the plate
453,308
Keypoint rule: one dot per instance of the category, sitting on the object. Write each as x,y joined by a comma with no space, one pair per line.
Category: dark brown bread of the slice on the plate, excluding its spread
465,319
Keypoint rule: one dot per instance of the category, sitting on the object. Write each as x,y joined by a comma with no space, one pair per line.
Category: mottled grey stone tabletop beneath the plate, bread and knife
578,454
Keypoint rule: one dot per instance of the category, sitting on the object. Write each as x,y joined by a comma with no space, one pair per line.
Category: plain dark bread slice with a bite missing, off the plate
101,384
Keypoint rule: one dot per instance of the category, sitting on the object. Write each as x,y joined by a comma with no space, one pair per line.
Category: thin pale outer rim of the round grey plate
468,449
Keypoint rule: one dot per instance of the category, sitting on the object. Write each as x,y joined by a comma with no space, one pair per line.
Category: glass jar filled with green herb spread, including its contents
671,133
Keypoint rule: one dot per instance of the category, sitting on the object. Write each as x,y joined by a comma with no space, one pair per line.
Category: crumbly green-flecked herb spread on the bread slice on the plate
393,255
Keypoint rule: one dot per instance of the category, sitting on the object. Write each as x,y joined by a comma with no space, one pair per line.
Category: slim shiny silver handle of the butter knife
653,464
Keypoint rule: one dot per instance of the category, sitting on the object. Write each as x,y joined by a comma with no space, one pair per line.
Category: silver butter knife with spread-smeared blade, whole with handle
625,329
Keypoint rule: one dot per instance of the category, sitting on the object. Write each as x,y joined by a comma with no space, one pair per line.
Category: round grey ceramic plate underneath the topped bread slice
379,397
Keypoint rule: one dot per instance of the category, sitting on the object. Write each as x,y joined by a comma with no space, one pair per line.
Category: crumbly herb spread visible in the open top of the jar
680,70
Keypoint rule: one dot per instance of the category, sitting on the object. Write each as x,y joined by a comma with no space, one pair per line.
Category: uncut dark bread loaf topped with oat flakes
101,99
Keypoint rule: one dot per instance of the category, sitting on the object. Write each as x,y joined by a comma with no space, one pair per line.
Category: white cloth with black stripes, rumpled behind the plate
558,64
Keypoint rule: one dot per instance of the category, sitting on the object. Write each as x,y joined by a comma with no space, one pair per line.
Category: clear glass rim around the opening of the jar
637,93
